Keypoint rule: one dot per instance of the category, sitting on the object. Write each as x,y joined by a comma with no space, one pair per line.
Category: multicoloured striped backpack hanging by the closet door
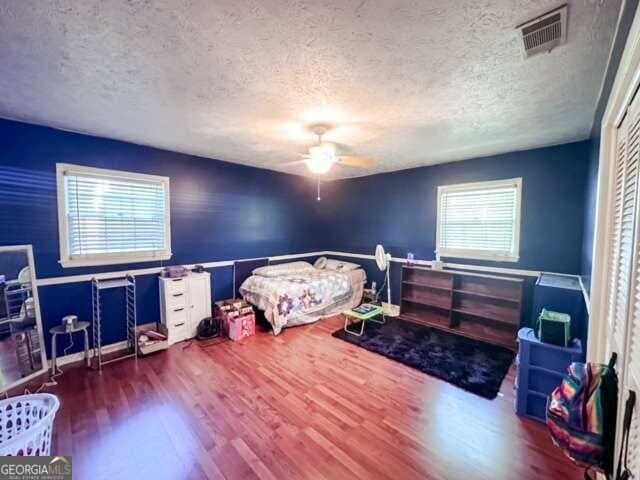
581,414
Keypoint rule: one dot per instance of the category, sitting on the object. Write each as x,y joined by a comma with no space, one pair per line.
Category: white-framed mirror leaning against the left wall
22,355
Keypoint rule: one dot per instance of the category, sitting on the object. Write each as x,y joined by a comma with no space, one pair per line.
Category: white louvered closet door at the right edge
625,322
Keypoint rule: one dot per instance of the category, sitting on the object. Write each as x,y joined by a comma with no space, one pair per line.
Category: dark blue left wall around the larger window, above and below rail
219,211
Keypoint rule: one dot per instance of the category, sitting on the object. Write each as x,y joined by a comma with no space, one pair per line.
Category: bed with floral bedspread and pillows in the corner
297,293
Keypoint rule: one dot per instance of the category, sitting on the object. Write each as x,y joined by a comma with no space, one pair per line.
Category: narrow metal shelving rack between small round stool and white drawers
129,284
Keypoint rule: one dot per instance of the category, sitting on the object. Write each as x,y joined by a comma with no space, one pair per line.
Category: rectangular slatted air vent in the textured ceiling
545,32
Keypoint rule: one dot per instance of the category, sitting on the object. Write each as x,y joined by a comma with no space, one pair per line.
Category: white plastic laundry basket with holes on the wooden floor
26,424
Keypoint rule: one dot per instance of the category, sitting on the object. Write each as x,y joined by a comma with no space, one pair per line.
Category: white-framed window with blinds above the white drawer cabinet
107,216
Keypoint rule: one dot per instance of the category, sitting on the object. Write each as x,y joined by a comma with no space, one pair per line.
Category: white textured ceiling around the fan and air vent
409,82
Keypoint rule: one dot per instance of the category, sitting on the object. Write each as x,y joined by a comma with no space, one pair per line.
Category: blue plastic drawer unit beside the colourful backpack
541,368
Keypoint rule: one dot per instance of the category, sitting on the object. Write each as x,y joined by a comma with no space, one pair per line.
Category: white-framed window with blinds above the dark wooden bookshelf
480,220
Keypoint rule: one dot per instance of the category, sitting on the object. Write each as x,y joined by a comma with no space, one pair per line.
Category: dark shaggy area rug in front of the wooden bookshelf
475,366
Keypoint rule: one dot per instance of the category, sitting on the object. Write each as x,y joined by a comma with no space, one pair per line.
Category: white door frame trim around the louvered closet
626,82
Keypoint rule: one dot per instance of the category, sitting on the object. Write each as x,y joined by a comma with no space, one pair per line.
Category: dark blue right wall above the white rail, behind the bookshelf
398,209
